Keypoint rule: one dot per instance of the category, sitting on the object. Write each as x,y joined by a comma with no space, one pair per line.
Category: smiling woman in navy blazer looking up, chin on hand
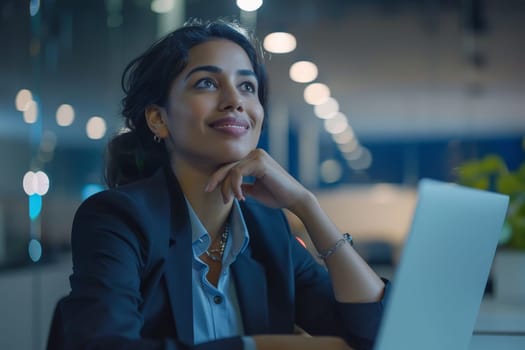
180,253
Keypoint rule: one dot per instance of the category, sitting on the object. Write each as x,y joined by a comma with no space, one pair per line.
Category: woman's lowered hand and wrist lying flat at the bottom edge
298,342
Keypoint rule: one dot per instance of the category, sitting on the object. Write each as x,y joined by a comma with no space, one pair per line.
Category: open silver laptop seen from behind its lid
440,279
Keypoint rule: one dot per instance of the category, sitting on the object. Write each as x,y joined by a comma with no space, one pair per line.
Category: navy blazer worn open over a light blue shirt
131,281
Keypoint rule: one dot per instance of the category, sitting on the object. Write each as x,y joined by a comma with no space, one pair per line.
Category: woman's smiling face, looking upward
213,113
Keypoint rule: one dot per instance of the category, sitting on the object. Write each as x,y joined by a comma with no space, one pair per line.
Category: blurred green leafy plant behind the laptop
492,173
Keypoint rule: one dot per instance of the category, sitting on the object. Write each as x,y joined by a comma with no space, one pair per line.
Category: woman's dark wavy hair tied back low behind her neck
133,155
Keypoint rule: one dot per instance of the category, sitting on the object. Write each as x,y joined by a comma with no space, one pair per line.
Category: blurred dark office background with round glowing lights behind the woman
392,91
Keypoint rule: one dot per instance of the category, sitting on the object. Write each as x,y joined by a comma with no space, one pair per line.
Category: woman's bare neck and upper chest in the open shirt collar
209,206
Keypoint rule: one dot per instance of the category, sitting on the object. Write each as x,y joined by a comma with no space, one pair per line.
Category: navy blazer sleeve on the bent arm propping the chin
319,313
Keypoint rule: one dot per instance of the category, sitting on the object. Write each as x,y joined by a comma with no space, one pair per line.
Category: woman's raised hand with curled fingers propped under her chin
273,186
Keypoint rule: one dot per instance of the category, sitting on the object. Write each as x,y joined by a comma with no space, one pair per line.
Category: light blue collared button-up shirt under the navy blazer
216,311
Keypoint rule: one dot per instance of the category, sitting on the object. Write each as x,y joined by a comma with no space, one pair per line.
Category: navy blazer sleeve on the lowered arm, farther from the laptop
110,249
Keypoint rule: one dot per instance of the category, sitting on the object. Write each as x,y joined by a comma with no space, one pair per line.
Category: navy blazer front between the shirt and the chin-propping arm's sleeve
266,284
